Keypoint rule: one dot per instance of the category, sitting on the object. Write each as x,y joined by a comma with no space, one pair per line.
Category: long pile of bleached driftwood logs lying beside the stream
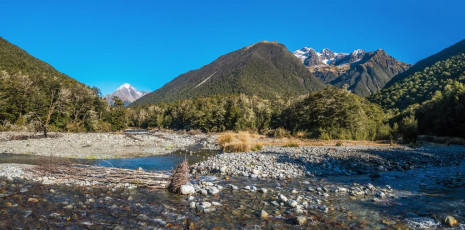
105,176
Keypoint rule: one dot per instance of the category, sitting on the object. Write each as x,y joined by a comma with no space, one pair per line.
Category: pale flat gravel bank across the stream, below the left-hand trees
101,145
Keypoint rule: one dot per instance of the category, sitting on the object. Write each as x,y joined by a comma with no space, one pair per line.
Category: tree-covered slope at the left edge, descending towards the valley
33,92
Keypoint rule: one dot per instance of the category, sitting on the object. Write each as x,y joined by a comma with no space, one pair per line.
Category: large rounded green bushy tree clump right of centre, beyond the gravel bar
336,114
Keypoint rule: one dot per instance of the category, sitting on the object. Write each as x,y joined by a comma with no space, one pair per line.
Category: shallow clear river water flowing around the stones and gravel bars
421,199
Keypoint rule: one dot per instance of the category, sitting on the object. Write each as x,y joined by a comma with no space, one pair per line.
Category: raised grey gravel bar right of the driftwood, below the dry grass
284,162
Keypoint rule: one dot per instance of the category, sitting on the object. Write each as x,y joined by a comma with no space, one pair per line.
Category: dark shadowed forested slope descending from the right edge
420,86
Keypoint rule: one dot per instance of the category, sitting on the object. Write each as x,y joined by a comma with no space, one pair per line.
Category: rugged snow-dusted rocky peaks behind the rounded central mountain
361,72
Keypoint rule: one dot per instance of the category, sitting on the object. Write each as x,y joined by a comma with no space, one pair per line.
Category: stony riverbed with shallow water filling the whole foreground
357,187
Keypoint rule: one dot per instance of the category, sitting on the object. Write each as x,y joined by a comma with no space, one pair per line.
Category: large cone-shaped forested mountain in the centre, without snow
265,69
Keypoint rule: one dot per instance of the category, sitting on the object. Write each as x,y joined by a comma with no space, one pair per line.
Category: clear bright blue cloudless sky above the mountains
148,43
